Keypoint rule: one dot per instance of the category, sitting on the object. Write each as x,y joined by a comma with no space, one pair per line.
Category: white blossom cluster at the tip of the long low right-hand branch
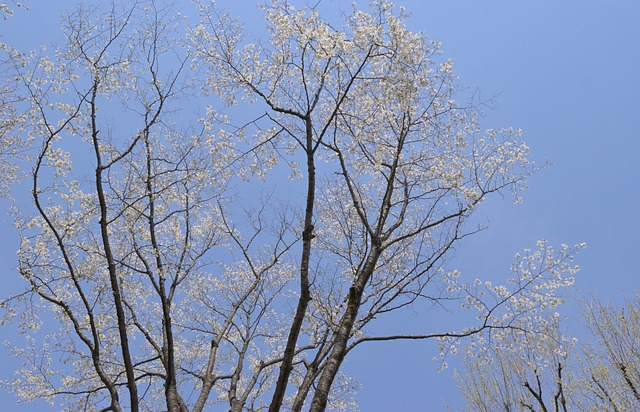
526,305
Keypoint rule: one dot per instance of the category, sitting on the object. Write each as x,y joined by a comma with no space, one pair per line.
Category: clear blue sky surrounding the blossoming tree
567,73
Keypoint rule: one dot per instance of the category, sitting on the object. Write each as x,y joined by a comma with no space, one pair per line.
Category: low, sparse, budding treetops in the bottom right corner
550,372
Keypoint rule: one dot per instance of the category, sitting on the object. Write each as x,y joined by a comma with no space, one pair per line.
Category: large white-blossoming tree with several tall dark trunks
169,295
